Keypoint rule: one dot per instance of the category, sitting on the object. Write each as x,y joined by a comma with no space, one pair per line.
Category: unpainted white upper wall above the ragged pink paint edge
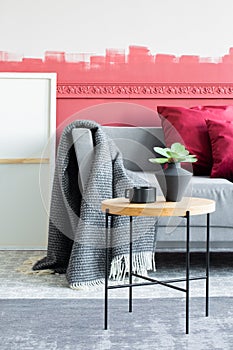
200,27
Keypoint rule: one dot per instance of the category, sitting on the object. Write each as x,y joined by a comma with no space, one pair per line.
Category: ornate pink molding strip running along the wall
145,90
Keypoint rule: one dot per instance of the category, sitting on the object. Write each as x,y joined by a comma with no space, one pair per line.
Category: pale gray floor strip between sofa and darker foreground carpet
16,284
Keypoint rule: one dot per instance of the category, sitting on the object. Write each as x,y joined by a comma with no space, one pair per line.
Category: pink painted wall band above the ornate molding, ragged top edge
139,65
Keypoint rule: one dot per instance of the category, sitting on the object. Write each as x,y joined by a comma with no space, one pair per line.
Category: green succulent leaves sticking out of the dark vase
176,154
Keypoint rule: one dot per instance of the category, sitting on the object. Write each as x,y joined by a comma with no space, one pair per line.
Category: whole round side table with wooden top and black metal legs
186,208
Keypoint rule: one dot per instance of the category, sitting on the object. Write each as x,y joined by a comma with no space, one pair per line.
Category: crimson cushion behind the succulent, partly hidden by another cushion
188,126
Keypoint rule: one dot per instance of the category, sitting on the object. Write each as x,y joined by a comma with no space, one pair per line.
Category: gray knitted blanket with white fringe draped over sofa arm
76,240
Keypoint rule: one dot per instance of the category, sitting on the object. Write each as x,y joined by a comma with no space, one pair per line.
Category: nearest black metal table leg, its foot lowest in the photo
187,269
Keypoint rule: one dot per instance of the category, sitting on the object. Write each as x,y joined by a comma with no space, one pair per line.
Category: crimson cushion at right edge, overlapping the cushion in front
221,136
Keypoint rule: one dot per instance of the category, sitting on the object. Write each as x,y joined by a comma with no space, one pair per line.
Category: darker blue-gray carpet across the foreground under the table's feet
78,324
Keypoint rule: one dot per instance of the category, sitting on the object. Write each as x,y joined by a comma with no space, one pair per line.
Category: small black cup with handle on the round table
141,194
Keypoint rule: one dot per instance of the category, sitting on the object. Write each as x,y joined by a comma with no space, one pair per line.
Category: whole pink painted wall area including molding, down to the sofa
120,88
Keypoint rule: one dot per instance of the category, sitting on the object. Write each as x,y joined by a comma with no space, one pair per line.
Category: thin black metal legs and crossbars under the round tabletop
152,281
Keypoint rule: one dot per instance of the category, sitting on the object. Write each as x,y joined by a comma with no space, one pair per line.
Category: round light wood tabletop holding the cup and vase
195,206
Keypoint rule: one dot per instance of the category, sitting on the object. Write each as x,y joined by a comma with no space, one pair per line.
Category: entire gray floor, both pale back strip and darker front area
39,311
